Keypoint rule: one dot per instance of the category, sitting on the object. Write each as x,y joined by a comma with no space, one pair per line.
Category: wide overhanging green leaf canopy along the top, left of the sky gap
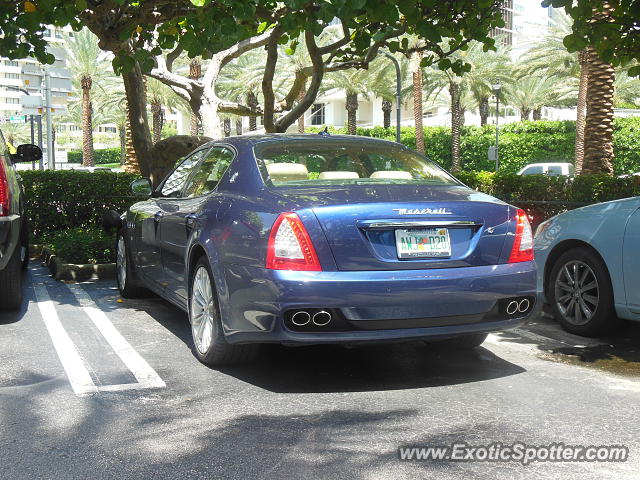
141,29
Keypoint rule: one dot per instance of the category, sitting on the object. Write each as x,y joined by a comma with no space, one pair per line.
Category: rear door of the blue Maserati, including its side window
198,202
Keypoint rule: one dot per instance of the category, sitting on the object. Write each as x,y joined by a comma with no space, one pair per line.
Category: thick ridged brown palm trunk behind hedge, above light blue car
598,136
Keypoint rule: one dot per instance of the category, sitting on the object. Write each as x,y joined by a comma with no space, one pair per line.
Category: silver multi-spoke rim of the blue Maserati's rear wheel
203,311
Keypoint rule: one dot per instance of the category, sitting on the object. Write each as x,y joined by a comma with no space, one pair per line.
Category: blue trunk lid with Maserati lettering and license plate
361,223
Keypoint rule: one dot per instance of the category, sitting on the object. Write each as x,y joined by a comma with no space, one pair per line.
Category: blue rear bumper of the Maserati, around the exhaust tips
373,306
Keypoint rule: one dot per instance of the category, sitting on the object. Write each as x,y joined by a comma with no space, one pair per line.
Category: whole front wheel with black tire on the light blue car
580,293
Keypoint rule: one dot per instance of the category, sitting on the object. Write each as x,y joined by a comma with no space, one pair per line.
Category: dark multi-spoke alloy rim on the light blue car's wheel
576,292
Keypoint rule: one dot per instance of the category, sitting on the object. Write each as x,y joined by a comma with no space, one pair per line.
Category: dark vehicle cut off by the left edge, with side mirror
14,231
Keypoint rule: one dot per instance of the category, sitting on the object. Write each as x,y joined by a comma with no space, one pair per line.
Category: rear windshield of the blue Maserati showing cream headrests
321,162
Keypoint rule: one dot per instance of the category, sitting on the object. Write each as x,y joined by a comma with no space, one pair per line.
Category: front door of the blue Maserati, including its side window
149,214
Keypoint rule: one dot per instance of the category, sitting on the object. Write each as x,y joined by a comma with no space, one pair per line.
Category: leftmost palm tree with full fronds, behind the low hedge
88,65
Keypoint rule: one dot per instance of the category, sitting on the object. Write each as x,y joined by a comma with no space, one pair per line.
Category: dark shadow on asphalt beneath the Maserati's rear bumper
333,368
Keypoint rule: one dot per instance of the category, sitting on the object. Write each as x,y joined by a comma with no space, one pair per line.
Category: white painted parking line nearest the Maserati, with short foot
145,375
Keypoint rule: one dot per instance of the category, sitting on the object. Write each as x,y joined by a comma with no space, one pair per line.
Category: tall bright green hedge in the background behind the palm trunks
520,143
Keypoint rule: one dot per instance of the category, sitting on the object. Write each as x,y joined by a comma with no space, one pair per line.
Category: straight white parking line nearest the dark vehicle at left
76,371
